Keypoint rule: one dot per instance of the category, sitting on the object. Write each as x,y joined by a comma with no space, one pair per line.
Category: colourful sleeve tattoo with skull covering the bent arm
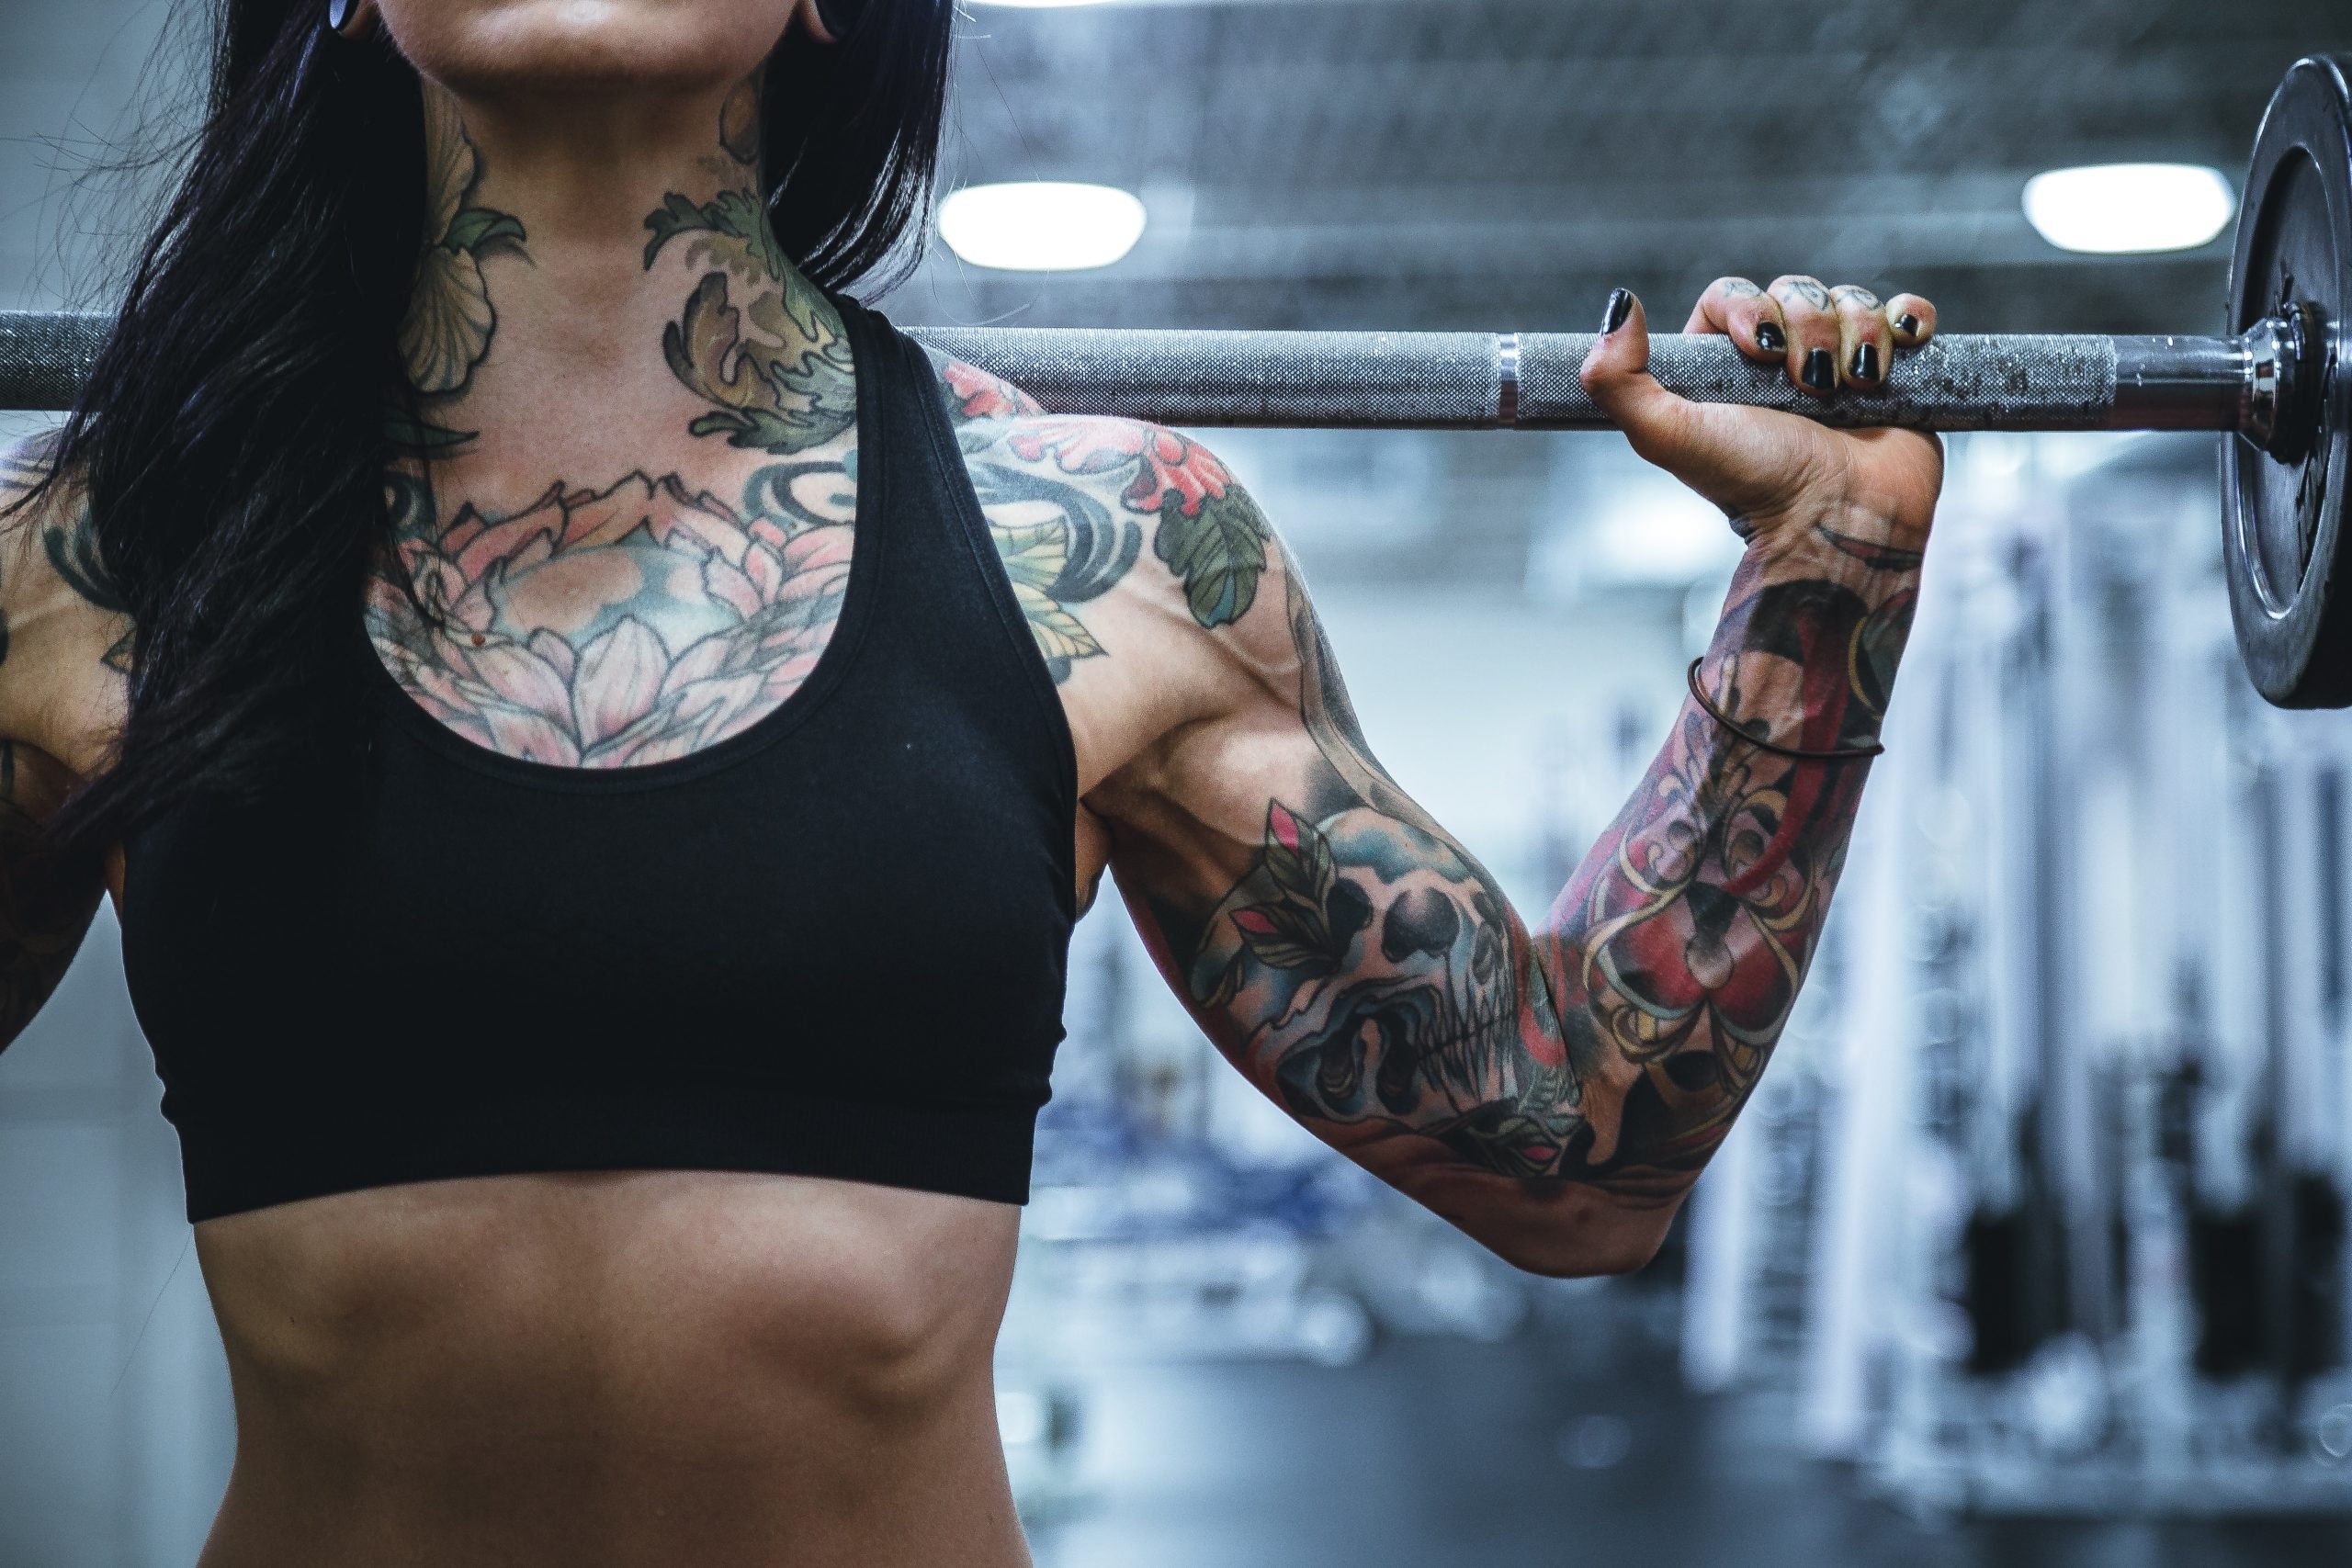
1370,977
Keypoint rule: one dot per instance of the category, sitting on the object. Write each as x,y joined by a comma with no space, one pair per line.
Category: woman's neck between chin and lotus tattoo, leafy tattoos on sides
610,269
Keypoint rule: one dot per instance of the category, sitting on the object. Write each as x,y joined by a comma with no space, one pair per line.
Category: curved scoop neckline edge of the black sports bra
763,732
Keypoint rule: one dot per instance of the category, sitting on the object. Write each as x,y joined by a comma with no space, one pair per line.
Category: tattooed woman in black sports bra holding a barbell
606,1005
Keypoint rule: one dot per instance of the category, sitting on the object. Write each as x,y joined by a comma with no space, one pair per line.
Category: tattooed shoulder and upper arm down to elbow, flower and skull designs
1330,937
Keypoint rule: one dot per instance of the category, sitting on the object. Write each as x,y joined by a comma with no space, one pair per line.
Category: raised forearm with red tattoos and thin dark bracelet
1678,951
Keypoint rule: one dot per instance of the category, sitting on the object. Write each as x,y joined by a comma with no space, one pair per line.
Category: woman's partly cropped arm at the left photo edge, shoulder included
53,605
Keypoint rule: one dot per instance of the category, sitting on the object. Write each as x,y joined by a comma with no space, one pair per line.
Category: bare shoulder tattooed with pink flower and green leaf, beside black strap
1125,542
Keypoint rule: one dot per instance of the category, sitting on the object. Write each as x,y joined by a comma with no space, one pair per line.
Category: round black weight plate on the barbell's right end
2283,523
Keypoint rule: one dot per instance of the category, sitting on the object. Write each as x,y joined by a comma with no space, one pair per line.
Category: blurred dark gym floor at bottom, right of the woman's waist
1450,1452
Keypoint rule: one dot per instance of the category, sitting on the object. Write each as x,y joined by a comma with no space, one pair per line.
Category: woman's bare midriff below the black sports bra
639,1369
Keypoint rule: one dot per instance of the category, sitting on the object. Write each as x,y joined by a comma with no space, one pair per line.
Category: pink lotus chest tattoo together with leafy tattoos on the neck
641,619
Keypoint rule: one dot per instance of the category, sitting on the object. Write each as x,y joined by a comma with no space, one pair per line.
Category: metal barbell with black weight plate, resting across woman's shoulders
2269,382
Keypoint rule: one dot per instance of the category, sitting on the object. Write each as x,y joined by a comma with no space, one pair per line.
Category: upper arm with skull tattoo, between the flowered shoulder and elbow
1332,939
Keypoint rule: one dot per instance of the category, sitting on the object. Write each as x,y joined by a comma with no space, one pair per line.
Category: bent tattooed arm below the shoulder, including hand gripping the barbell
1553,1090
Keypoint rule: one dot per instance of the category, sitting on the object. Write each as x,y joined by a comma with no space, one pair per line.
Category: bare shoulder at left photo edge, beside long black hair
65,631
